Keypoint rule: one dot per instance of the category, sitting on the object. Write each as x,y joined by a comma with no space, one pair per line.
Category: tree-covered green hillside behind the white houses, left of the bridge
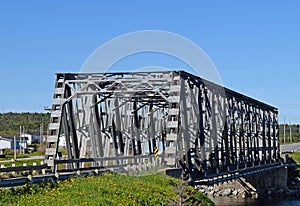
10,122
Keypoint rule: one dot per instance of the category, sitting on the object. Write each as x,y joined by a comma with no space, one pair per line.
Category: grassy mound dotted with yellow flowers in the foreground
108,189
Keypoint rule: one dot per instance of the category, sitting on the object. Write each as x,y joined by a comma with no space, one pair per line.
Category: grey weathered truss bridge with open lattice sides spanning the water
118,120
